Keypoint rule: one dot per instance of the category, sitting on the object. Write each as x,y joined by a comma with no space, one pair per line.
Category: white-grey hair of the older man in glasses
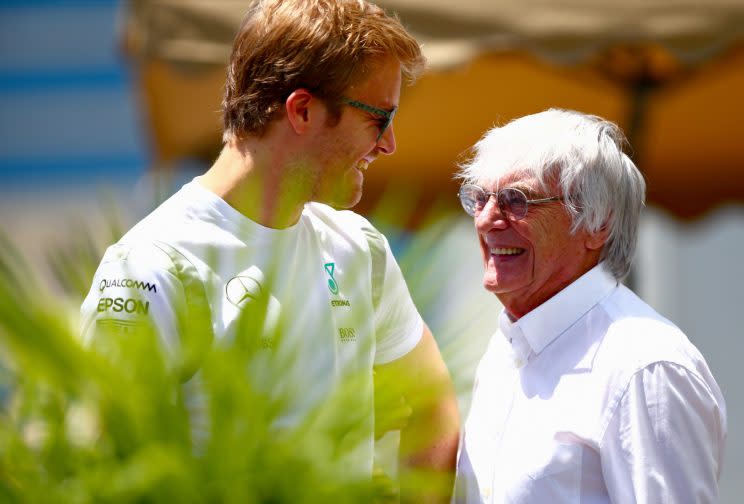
584,155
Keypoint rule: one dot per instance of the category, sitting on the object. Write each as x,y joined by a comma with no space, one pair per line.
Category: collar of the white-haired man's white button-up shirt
537,329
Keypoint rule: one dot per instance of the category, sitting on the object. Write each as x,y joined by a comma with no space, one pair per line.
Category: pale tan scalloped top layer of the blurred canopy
568,31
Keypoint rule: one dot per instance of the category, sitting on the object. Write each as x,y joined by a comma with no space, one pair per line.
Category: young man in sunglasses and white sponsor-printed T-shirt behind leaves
312,88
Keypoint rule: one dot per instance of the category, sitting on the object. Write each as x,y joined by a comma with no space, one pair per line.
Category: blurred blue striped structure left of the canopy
67,111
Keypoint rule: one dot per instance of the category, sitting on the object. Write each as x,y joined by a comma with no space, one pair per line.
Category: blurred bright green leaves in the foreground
116,422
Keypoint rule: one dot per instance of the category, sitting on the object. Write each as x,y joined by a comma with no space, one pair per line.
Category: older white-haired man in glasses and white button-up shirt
585,394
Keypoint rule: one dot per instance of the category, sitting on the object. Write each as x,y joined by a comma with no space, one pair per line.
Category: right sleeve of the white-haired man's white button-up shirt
665,440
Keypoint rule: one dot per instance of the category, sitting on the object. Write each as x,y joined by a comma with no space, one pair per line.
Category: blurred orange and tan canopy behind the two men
668,72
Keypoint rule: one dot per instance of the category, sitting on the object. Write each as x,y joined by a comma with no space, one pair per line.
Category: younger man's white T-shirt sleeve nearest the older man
398,324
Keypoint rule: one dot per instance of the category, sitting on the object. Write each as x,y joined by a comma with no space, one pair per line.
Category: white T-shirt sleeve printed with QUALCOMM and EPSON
136,292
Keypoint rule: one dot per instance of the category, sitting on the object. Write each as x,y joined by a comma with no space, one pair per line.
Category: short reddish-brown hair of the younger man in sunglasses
324,46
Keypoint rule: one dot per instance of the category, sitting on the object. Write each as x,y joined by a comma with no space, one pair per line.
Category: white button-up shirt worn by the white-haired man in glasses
592,397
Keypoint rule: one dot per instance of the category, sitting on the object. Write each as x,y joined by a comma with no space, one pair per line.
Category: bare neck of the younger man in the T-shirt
251,179
